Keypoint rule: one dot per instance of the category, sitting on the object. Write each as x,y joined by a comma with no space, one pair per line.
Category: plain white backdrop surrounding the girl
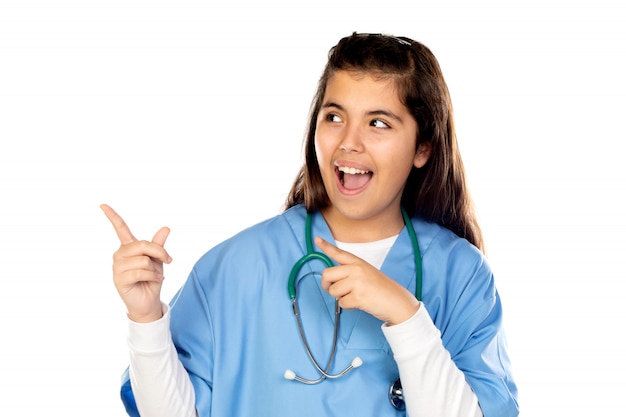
192,115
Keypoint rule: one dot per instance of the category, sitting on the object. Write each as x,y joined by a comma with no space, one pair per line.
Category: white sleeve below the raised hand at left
160,383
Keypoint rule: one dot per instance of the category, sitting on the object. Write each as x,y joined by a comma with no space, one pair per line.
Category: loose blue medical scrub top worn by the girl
233,326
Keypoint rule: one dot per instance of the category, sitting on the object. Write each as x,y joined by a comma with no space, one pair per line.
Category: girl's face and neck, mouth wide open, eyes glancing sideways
365,143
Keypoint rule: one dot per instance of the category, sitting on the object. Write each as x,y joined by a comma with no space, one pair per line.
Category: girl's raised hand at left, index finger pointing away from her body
138,269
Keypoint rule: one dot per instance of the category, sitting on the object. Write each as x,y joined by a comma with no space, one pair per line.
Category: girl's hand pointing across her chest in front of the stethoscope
359,285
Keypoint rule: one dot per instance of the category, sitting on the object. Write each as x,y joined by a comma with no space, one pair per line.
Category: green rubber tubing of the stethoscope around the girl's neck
312,254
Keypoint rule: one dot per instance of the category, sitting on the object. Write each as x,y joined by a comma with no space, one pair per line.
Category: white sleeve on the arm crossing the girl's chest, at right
431,382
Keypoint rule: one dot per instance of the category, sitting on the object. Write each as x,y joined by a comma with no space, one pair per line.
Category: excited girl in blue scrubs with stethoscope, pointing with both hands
396,311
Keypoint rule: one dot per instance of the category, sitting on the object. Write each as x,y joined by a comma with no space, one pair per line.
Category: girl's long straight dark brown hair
438,191
